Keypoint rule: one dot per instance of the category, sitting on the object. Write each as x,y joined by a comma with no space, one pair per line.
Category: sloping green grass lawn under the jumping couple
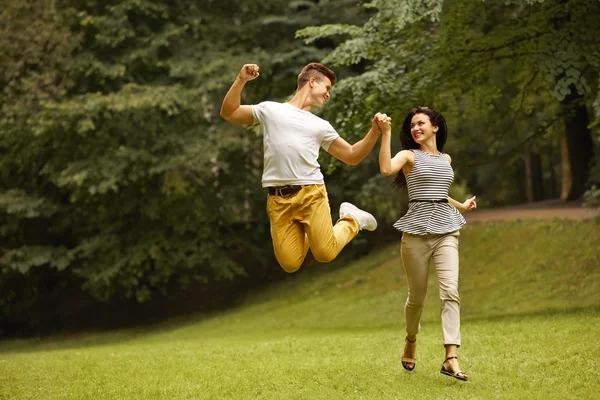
530,296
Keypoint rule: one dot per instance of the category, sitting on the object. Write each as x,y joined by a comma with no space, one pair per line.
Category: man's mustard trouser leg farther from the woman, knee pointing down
289,238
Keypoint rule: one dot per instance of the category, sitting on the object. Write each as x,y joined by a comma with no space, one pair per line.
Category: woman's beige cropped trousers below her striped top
417,251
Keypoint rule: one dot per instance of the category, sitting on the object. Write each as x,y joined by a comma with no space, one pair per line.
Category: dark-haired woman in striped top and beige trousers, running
430,227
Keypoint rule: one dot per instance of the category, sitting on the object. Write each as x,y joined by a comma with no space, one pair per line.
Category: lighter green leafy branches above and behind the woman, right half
500,72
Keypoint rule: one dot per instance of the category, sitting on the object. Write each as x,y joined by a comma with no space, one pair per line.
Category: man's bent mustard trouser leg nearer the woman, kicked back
326,241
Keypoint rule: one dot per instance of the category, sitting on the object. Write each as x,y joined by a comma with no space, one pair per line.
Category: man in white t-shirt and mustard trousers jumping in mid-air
297,204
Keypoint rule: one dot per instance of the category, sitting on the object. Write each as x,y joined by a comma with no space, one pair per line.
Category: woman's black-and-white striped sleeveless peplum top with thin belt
429,179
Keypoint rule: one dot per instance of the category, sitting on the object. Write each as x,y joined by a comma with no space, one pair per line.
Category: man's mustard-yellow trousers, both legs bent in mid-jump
303,220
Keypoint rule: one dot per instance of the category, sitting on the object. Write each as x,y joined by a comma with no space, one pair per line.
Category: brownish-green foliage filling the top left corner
36,51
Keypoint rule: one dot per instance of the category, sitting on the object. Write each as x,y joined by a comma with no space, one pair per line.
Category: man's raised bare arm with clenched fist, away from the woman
231,110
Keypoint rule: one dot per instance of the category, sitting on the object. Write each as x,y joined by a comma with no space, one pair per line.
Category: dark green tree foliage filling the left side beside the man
119,178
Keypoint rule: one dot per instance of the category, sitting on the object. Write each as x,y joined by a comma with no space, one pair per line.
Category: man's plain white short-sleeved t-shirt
292,139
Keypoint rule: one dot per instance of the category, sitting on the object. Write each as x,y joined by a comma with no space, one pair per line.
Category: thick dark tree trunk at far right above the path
577,147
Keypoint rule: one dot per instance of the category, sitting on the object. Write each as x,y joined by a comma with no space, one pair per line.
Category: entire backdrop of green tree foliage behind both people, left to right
120,179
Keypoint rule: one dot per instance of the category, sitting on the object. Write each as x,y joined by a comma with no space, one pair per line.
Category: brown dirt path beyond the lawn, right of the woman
541,210
